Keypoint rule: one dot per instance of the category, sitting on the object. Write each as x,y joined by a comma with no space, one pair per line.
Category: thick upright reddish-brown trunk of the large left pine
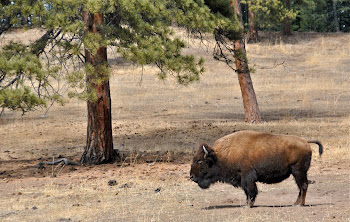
99,143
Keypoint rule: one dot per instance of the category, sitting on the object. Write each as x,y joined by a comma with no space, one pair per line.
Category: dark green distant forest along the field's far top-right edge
298,15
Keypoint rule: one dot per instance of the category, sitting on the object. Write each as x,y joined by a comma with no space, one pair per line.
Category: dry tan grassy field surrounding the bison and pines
302,87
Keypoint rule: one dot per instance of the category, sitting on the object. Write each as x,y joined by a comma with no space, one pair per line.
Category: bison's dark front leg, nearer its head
248,183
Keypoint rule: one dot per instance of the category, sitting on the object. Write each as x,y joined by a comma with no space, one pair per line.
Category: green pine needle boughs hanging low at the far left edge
24,82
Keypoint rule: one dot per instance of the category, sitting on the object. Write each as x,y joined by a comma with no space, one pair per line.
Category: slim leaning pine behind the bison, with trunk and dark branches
230,47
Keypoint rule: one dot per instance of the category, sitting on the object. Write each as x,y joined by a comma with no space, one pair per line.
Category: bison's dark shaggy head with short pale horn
203,169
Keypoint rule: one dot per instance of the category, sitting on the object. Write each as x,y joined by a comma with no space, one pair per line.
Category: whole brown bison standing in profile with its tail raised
246,157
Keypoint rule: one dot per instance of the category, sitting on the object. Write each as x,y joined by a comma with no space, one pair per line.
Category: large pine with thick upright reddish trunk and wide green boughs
77,35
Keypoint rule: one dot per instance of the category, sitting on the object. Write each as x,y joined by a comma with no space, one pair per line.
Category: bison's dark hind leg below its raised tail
299,172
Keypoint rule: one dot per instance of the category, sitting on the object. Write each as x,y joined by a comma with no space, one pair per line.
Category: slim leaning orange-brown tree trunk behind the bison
250,103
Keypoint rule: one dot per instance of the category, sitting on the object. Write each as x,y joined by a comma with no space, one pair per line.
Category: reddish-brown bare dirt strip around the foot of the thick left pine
38,168
